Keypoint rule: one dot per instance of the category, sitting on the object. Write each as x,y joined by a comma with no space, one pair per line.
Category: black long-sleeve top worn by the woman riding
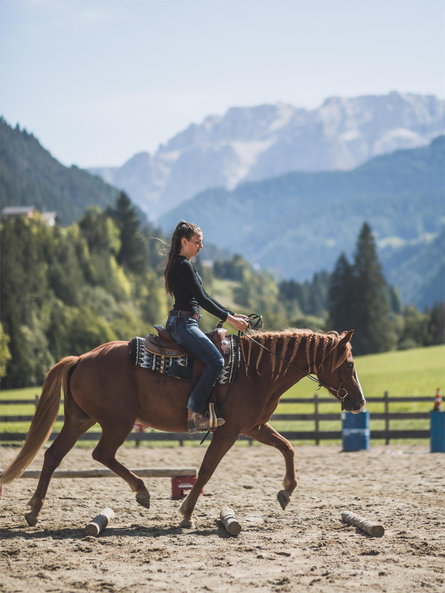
188,291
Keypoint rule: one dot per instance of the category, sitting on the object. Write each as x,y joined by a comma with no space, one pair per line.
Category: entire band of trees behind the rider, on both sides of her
65,290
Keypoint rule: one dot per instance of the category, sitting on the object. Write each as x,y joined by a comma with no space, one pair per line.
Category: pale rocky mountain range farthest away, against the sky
255,143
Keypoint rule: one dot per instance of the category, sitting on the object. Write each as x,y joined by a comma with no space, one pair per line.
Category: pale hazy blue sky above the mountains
99,80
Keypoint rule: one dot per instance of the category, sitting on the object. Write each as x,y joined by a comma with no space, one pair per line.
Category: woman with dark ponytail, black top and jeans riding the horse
184,283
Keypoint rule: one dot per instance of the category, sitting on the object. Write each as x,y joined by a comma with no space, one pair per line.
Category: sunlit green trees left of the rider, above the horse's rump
65,290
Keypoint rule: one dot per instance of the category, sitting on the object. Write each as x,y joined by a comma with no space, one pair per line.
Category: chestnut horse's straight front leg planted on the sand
222,441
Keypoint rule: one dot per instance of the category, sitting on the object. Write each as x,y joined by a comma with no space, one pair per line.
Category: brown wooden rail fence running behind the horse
316,418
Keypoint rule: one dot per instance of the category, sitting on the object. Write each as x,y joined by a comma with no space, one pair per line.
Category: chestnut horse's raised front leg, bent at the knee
264,433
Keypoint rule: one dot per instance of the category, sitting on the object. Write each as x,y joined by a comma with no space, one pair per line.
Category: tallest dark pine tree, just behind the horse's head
374,332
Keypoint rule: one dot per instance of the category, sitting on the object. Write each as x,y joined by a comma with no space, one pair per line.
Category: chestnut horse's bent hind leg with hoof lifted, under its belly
105,452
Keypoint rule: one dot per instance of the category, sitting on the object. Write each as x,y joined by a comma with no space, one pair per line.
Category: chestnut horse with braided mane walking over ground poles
103,386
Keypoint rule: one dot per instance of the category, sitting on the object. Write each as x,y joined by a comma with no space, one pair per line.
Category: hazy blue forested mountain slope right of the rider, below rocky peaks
298,223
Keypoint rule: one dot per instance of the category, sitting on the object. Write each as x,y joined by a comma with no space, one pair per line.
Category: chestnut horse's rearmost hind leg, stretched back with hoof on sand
74,426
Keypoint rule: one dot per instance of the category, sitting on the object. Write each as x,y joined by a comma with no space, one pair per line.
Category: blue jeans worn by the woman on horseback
186,332
